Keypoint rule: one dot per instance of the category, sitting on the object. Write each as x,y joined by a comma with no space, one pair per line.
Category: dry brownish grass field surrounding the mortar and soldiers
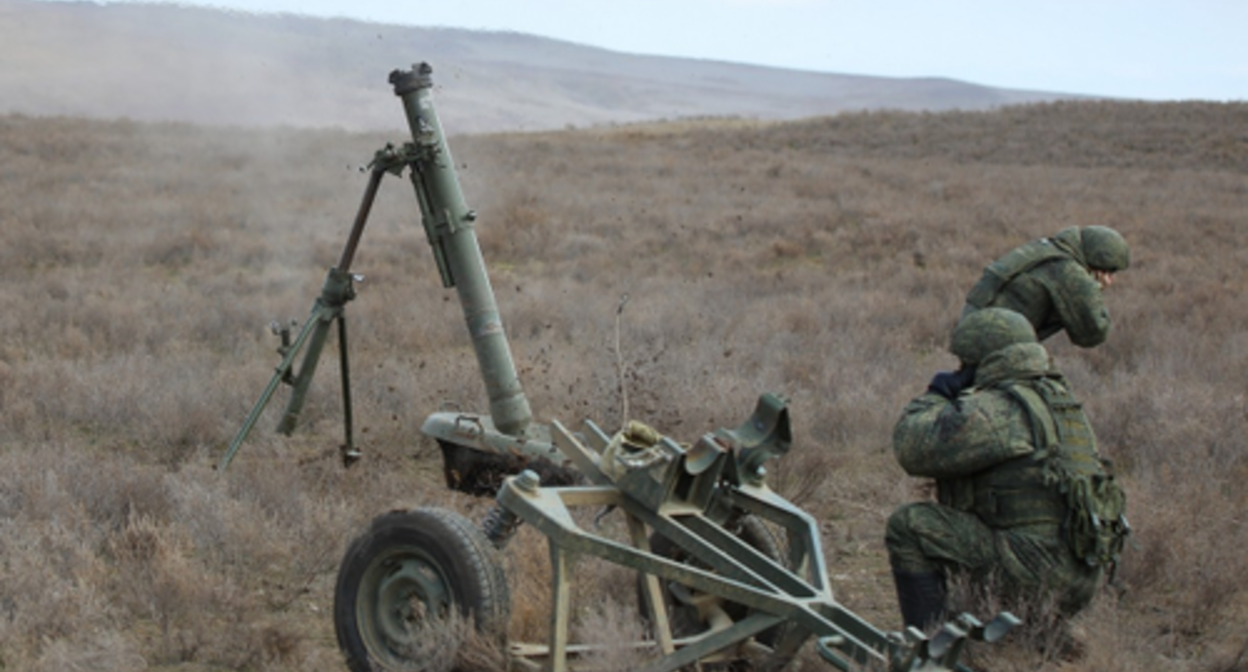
826,260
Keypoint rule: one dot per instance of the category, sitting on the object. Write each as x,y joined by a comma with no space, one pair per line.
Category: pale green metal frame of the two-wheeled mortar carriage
667,497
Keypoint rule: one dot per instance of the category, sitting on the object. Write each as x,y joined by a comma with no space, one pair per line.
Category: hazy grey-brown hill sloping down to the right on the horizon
169,63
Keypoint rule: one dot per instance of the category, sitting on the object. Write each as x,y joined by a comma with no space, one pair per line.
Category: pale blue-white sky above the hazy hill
1144,49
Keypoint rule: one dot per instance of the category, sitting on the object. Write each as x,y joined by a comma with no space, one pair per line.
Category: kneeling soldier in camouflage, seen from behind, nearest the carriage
1021,492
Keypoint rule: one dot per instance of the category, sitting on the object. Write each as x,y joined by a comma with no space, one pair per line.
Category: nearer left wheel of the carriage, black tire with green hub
431,558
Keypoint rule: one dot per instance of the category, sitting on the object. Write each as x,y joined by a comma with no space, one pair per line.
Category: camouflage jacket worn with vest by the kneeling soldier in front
1018,452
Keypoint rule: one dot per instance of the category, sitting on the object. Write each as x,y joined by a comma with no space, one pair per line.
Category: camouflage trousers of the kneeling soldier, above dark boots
1033,561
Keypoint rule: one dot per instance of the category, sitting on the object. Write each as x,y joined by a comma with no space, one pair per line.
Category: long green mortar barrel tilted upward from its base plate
454,235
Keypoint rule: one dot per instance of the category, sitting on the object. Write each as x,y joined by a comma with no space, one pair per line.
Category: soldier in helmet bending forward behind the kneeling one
1058,283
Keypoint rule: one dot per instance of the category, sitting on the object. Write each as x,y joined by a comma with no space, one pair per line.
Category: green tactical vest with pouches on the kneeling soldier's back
1064,483
